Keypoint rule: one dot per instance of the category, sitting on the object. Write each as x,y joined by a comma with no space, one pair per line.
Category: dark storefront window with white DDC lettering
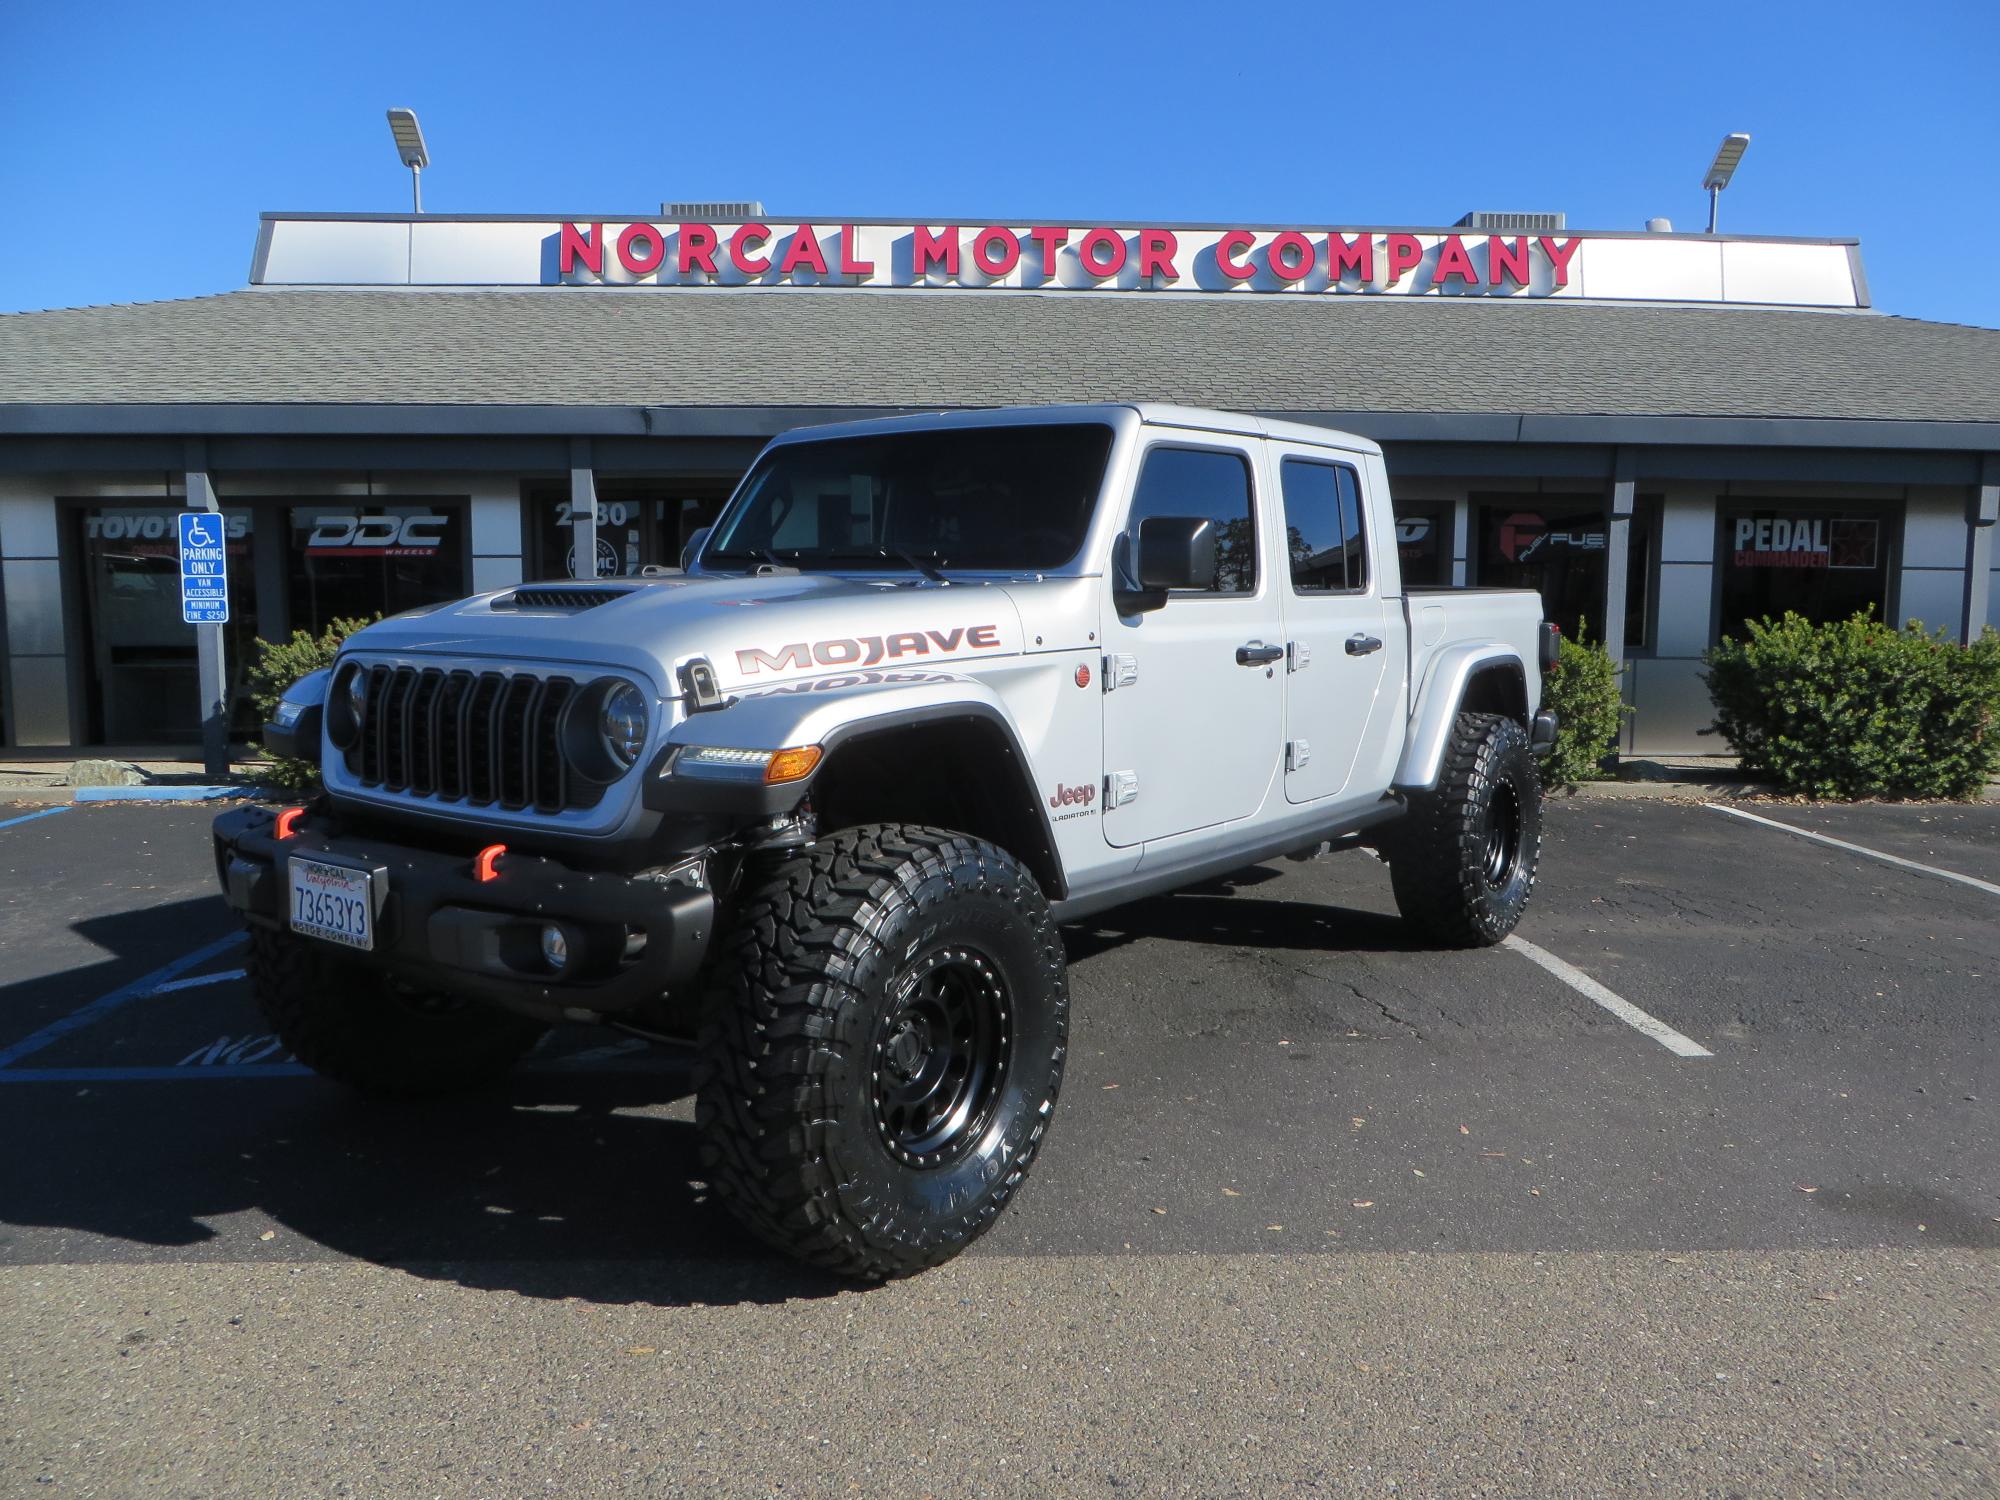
357,561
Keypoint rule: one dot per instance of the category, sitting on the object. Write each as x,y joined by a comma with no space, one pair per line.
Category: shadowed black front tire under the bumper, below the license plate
377,1037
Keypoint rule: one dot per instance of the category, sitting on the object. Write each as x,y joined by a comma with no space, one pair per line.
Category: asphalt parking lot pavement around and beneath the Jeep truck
1707,1203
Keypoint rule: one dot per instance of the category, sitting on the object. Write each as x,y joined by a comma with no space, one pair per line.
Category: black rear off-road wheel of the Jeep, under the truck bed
1463,861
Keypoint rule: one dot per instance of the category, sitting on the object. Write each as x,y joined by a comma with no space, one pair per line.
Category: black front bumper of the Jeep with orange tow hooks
631,939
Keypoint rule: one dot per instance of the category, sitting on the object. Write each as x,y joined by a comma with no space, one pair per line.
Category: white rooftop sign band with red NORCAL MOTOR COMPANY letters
461,251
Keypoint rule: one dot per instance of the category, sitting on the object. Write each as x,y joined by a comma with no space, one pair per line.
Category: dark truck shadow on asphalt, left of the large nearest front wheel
553,1187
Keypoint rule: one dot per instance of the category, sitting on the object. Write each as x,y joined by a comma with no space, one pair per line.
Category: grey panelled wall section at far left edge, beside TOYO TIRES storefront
31,581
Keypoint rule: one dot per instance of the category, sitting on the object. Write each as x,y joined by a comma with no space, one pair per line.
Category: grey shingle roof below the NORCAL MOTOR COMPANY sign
959,349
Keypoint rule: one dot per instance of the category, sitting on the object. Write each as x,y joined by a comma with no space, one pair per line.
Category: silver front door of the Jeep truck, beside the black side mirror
1195,689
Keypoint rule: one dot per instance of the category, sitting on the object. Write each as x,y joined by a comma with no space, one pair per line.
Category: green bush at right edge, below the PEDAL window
1859,709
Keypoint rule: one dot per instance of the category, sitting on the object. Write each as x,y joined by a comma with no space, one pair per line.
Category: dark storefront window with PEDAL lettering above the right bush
1823,563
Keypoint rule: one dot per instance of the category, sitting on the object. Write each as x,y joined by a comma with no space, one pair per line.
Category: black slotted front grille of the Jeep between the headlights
481,739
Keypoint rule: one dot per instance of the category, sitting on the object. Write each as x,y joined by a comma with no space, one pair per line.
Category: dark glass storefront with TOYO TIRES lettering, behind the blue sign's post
145,681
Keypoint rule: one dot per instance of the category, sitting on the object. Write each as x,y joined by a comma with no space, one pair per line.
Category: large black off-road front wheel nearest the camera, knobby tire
881,1051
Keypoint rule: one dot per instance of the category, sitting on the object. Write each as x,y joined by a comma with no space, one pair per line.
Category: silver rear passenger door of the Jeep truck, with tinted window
1343,637
